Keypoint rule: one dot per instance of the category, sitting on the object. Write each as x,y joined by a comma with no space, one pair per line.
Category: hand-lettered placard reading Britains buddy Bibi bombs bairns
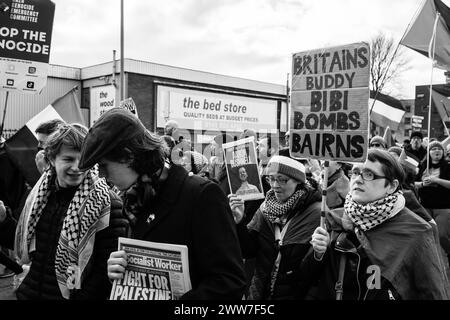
329,103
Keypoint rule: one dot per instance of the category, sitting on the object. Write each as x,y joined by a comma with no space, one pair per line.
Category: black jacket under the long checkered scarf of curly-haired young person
40,283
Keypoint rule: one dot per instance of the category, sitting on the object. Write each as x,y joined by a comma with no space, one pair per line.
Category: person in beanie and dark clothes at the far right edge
433,188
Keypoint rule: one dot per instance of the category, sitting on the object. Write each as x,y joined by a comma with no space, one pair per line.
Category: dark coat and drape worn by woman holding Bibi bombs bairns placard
396,260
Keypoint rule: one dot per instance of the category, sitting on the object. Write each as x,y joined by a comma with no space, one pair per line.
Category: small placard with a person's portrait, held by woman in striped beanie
242,169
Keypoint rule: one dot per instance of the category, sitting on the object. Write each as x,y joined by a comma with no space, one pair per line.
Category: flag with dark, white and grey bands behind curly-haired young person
22,146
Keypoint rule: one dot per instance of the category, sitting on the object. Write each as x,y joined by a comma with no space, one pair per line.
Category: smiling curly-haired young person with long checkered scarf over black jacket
68,227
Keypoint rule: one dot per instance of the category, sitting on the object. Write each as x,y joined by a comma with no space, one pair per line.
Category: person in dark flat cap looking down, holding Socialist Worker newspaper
163,203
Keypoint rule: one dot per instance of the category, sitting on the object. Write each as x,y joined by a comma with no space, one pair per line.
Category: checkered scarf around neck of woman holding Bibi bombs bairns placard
368,216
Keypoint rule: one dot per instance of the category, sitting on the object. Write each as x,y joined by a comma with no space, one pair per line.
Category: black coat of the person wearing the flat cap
193,211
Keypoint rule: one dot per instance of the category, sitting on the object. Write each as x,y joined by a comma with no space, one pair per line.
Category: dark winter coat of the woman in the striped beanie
258,240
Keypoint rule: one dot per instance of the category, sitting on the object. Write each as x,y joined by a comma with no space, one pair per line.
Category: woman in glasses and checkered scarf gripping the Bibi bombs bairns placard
376,248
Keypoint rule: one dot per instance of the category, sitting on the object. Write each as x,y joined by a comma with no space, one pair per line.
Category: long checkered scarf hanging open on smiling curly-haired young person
87,214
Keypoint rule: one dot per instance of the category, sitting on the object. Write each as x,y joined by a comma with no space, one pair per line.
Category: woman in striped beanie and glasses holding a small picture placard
278,235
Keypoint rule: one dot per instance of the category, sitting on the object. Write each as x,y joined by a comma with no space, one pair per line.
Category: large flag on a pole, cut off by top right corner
429,33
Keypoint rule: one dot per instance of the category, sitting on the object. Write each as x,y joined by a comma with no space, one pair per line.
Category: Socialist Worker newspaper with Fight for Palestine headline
155,271
